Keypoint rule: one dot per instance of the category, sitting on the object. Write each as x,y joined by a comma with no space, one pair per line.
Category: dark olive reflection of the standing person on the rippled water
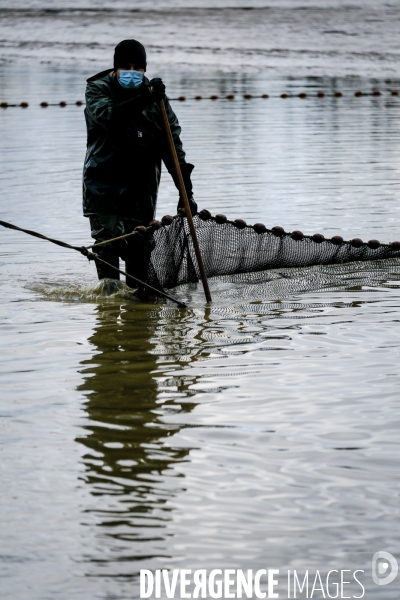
128,443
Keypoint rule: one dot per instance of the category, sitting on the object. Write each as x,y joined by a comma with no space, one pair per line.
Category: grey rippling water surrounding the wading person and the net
261,431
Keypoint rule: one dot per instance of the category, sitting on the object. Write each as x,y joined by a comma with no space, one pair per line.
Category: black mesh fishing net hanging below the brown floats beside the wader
229,248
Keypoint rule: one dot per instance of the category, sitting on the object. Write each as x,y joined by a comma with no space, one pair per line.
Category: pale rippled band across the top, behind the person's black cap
290,37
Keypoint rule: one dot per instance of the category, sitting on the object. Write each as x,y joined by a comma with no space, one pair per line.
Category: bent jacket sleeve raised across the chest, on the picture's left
103,110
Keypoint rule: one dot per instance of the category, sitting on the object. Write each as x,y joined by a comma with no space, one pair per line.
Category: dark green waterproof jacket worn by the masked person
126,143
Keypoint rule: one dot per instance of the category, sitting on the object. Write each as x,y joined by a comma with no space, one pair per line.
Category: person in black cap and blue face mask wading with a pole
126,143
